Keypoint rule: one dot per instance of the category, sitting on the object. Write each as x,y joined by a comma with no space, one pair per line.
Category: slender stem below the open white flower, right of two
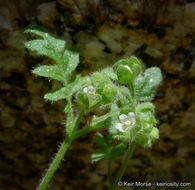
124,164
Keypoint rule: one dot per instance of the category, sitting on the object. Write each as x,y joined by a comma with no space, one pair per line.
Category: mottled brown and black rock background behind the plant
160,33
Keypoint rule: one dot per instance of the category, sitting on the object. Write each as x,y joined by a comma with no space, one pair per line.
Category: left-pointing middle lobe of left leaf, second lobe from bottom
52,72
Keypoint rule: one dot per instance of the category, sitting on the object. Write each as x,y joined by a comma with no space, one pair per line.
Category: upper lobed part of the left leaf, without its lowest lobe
66,60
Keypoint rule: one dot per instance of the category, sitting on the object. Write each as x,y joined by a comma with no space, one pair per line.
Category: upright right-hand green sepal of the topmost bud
135,65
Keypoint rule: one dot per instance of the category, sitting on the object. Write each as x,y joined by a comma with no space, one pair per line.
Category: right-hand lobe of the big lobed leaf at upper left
70,61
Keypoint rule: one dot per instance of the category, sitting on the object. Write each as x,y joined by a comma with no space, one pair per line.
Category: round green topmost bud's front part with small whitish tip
125,74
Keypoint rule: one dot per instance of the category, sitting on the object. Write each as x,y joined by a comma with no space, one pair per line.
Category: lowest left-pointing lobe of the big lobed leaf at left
56,94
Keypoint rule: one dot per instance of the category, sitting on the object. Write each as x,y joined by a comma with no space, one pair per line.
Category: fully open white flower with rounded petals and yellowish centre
127,121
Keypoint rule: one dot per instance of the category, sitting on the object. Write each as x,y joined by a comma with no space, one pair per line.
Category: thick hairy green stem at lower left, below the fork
54,165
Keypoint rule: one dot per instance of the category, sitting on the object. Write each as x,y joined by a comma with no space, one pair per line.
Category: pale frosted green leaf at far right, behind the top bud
144,85
